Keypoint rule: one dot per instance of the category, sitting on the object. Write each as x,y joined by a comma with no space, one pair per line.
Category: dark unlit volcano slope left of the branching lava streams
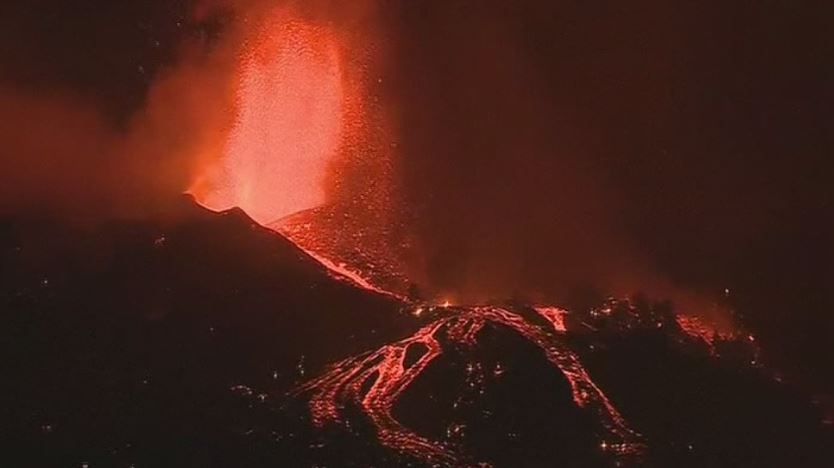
166,342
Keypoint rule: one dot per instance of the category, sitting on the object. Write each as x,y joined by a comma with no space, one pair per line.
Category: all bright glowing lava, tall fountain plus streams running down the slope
289,133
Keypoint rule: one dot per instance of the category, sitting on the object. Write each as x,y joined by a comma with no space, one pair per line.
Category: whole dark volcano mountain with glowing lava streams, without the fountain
205,339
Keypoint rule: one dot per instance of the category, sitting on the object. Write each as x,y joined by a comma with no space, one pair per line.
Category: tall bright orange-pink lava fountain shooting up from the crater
288,124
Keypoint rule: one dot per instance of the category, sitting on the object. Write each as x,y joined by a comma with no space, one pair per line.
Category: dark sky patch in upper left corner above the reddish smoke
106,49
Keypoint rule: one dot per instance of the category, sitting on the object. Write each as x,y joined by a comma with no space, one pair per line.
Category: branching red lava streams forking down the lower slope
386,372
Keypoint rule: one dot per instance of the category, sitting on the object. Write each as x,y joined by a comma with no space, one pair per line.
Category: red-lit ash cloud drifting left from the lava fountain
62,155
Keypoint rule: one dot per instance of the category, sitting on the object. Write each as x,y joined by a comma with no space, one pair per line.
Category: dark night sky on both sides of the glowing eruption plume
692,138
